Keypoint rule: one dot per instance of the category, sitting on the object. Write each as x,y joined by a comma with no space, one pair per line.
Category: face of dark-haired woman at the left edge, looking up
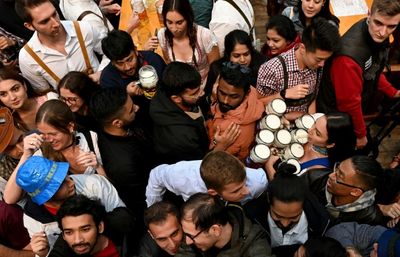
13,94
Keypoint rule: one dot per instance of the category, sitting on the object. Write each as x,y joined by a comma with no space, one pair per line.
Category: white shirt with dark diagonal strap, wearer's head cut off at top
225,18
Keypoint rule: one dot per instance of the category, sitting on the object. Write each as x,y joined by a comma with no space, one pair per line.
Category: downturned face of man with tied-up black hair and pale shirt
286,215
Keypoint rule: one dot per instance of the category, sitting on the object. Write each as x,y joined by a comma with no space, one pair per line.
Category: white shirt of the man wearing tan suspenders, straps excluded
59,63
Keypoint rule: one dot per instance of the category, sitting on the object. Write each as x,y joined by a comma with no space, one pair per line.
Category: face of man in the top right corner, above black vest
380,27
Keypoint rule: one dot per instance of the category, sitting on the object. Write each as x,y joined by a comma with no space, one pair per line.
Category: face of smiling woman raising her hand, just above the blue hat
58,140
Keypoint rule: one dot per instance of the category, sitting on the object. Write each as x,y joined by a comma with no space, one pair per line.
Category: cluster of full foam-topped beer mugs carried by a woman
285,140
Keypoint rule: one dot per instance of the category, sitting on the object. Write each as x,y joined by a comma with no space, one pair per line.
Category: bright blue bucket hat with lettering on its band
41,178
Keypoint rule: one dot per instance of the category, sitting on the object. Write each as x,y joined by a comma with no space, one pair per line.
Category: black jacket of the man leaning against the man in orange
176,136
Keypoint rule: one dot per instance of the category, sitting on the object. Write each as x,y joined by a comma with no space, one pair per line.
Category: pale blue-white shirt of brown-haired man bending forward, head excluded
183,178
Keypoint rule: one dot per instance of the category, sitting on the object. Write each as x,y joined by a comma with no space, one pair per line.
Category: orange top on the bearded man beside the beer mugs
246,115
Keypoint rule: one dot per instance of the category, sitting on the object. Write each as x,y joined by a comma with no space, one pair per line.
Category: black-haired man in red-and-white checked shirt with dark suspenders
295,76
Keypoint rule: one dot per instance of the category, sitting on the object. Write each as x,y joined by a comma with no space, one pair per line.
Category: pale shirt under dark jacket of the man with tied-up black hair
297,235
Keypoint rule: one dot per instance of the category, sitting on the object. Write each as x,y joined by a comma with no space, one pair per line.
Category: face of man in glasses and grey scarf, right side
343,181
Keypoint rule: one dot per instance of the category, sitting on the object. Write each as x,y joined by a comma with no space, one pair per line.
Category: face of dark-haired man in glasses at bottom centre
203,240
